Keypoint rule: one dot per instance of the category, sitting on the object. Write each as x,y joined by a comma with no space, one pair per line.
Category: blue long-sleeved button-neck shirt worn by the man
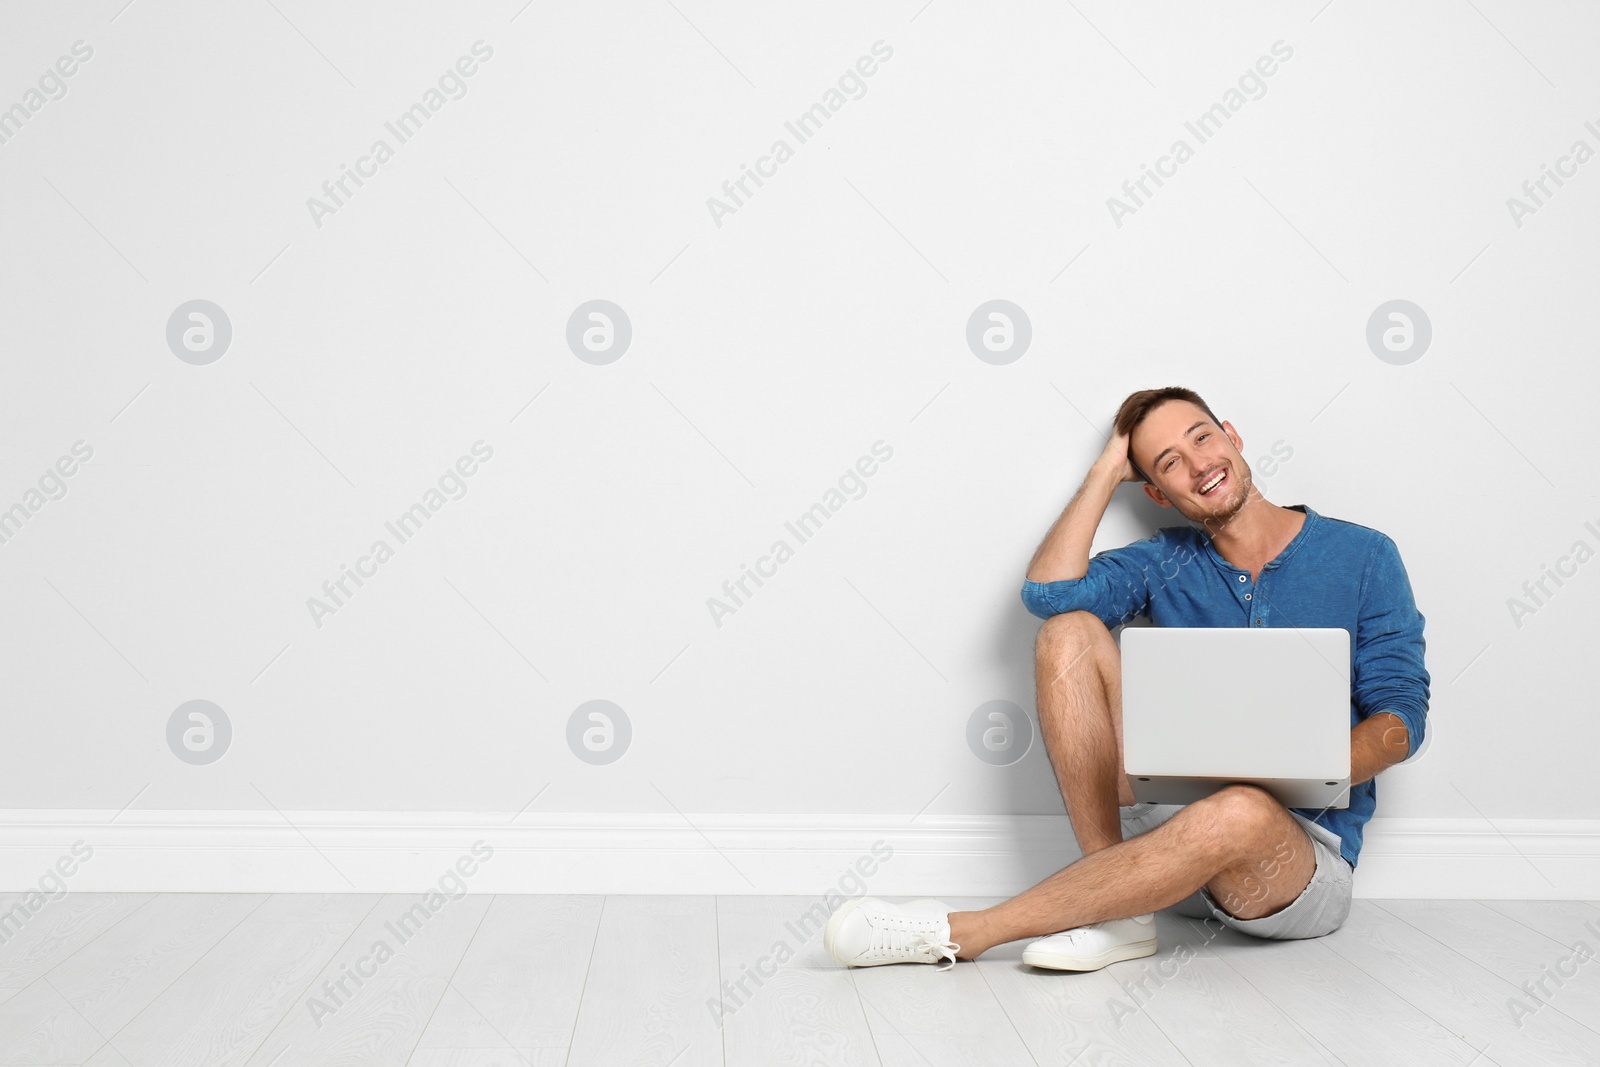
1332,575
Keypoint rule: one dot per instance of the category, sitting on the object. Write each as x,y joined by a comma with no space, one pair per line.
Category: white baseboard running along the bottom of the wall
383,852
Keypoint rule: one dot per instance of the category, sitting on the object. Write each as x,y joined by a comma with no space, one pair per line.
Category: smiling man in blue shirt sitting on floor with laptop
1239,855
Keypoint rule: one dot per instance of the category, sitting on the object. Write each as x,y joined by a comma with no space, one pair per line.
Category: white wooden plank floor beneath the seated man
214,980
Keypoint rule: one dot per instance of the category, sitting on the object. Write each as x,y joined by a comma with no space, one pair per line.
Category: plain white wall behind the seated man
769,354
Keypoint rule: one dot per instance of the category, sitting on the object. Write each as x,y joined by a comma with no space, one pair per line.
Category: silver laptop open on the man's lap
1209,706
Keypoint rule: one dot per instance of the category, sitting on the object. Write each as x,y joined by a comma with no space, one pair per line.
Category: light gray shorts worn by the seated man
1321,908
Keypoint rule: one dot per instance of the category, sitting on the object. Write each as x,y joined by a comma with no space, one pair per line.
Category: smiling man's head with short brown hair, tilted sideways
1178,446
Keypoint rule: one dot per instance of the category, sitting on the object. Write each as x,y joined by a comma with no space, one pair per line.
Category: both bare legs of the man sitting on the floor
1241,842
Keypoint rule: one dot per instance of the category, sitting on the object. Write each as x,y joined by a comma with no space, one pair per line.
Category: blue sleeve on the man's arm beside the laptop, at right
1390,673
